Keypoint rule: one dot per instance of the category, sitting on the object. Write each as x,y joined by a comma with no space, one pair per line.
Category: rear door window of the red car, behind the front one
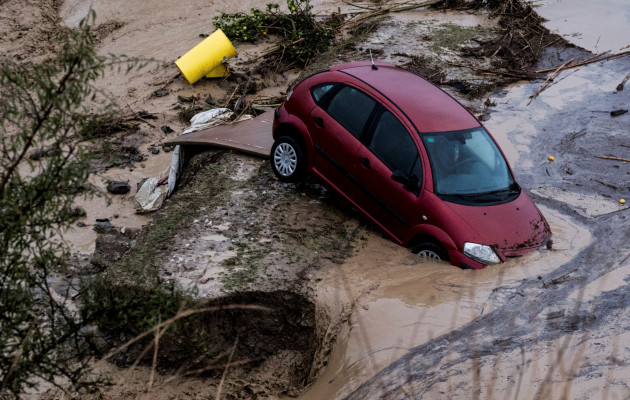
351,108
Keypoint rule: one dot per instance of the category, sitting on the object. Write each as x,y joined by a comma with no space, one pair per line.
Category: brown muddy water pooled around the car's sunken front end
404,303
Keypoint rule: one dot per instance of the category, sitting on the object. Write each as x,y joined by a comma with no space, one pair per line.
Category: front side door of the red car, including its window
390,172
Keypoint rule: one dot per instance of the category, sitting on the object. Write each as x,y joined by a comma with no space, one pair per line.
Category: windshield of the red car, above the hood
468,165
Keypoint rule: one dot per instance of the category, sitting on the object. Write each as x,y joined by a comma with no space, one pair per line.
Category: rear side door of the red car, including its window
336,125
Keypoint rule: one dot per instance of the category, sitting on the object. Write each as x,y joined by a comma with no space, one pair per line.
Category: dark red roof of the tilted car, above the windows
428,107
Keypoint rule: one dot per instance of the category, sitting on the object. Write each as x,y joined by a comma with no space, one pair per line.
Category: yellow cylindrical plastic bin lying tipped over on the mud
205,58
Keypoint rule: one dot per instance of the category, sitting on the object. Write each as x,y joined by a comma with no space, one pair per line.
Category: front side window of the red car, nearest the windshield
392,144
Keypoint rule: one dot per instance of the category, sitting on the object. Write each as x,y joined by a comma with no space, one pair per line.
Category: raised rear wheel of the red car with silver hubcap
288,159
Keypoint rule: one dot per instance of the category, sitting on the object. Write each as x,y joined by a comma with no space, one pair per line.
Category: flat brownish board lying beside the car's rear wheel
253,136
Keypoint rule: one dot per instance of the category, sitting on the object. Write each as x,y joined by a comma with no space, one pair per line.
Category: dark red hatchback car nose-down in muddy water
412,159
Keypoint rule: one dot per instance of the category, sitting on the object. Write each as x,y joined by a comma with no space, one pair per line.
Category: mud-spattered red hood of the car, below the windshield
511,229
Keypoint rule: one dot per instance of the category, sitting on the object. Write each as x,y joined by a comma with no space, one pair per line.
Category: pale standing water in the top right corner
596,25
